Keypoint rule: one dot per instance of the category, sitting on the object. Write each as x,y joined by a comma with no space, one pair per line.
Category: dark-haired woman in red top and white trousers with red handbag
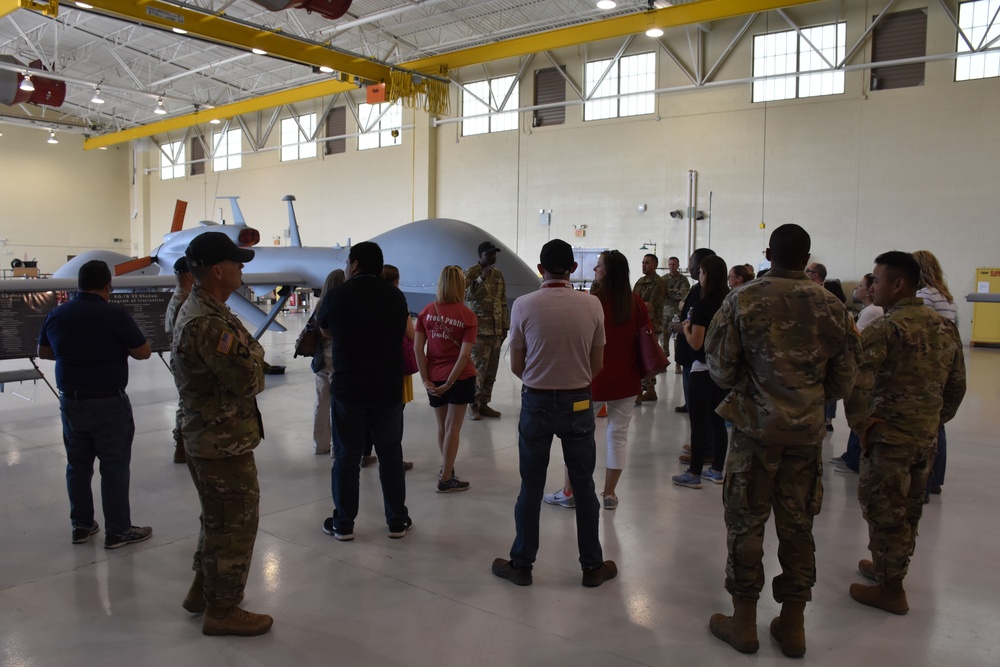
618,382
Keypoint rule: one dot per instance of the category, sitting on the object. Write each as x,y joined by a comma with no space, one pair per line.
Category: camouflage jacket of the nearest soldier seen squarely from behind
785,346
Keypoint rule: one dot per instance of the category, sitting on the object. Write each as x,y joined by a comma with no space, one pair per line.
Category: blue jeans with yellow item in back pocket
542,417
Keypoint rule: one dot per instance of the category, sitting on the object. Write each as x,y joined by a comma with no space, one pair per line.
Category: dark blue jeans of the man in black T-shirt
351,424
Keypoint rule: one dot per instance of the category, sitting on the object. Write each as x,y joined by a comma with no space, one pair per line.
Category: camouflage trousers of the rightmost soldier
891,491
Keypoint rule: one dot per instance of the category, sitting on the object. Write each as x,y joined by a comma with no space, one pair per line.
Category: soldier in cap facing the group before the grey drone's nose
486,296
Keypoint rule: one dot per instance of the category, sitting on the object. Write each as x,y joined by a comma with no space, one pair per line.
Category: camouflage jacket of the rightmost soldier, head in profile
911,375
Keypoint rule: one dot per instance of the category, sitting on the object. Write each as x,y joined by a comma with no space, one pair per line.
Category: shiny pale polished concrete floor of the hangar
429,599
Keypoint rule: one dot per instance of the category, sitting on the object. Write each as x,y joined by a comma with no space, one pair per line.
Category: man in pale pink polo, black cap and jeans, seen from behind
556,348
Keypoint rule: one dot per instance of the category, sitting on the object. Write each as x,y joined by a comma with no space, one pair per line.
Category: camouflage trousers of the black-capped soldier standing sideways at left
230,504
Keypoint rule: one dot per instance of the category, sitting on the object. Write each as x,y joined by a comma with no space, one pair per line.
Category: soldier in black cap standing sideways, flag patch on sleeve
219,369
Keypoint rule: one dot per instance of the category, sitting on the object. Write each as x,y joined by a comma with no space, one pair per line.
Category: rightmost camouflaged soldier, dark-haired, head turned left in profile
911,380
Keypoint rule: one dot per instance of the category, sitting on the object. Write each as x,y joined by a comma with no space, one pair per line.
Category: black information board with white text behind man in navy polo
22,316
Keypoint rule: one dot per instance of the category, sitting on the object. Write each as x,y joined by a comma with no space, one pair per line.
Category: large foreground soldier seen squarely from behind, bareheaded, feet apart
783,345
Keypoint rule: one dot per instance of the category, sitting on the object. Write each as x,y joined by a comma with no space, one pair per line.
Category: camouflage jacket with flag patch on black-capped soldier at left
218,369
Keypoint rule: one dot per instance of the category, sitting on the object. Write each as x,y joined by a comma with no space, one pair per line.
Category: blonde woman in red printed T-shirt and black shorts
446,332
